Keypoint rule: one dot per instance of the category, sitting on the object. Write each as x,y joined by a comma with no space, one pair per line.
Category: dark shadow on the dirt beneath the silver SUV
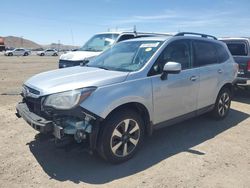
77,166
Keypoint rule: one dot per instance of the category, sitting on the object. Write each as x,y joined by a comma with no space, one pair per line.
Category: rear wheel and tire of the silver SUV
222,104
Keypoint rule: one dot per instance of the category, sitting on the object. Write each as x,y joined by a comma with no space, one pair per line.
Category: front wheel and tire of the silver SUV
121,137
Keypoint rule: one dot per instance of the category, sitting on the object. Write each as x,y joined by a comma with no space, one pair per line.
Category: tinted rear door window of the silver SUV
204,53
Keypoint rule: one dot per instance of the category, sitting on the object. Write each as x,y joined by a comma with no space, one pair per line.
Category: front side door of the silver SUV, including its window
177,95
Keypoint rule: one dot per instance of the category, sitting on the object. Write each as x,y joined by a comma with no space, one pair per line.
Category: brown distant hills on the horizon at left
18,42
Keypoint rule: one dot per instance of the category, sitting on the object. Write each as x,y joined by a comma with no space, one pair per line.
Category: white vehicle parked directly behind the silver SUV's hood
96,45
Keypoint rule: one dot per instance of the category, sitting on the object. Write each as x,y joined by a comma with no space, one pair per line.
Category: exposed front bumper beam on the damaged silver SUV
38,123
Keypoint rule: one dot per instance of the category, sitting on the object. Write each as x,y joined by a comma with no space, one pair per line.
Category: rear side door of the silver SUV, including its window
210,70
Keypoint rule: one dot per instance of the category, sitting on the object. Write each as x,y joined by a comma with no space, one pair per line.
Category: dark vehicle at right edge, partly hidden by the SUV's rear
240,49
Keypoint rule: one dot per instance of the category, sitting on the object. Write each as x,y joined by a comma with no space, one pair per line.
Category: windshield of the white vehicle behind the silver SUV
99,42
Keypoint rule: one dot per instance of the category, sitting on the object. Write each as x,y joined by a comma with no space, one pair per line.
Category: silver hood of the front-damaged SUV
73,78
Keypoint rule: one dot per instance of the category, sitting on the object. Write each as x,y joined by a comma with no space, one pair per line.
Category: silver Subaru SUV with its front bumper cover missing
130,90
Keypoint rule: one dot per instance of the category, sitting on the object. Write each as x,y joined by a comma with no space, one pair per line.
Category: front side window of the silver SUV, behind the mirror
177,51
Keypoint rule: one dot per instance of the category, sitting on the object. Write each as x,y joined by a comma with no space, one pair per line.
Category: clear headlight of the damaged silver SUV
69,99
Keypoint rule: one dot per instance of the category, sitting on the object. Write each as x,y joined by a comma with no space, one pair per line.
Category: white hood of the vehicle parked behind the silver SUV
78,55
